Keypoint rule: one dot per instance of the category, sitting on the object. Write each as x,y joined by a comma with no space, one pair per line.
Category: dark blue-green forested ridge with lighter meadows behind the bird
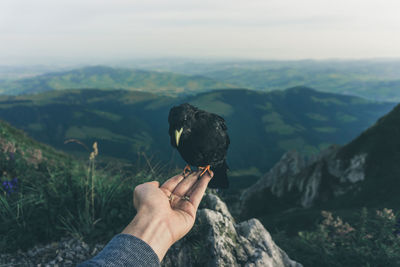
262,126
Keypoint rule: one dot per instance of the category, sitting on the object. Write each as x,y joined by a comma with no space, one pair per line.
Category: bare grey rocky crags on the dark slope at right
319,178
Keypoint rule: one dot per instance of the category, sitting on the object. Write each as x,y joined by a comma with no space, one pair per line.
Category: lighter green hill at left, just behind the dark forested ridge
112,78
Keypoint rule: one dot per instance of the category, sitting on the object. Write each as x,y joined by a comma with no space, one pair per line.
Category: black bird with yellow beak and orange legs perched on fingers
202,140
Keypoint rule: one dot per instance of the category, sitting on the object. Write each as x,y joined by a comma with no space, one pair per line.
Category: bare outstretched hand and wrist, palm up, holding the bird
163,214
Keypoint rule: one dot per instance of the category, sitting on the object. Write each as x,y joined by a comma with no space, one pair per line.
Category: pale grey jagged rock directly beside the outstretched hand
216,240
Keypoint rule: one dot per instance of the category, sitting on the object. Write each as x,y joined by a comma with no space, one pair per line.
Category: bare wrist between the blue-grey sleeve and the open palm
153,230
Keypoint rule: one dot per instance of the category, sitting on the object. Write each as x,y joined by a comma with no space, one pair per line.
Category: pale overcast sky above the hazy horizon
83,31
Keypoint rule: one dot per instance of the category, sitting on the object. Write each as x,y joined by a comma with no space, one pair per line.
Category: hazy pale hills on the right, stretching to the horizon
377,79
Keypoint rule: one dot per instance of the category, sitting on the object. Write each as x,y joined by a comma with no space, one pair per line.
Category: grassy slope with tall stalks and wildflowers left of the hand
45,195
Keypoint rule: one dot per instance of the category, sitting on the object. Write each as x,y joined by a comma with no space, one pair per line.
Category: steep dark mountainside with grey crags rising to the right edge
363,173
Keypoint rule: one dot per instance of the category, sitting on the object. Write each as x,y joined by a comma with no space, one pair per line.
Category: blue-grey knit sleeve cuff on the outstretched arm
124,250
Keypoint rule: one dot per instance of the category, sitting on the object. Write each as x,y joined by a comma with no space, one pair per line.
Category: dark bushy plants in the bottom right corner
371,239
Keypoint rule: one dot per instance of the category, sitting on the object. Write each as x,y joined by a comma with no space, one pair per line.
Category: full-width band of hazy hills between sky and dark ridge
371,79
